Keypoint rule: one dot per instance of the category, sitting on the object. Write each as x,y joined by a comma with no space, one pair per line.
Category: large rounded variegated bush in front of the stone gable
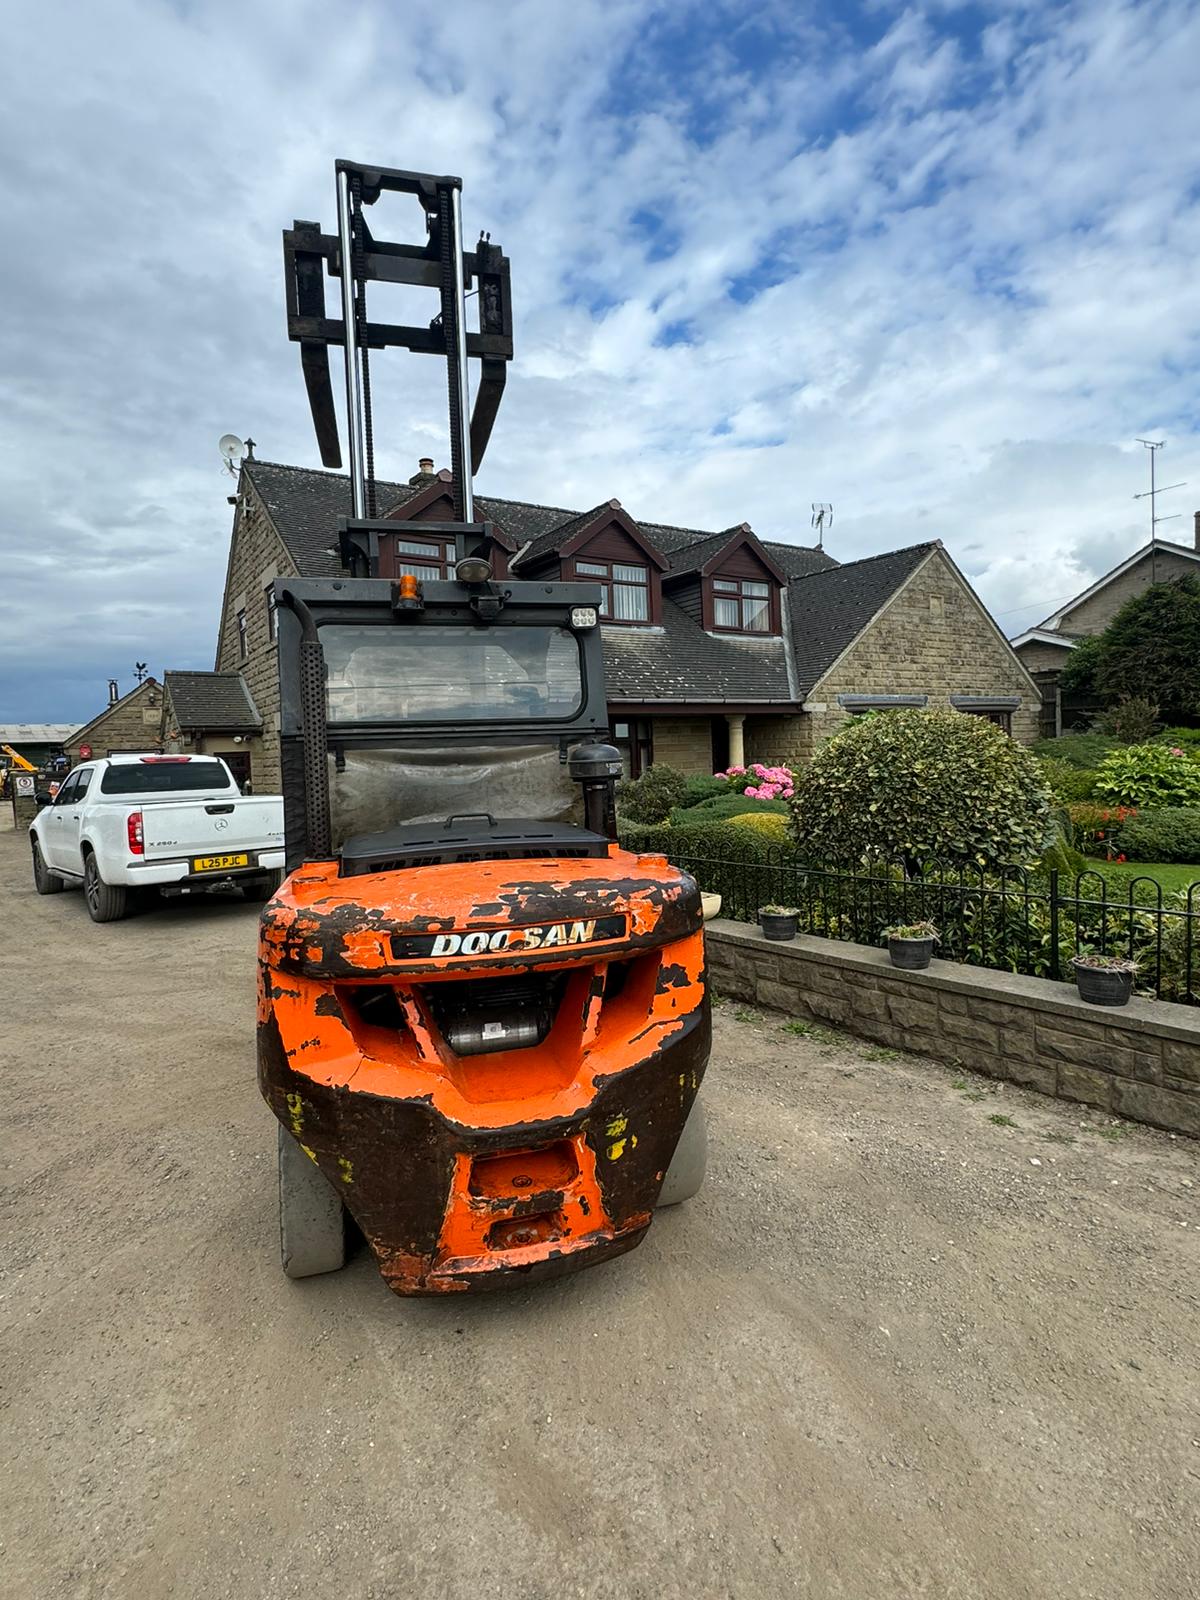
921,786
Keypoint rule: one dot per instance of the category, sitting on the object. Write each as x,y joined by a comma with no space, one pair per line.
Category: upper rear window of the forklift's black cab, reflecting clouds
452,674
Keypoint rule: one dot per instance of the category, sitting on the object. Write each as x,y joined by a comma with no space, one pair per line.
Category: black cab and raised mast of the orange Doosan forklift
404,700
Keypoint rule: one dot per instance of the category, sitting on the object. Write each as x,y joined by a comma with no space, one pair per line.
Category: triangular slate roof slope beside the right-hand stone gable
830,610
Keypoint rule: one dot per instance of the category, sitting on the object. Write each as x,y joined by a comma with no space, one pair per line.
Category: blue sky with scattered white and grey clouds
935,265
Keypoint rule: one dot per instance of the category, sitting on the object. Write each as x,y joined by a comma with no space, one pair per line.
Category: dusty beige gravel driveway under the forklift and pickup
918,1337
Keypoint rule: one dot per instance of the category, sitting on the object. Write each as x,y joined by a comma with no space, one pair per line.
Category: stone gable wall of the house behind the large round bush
934,639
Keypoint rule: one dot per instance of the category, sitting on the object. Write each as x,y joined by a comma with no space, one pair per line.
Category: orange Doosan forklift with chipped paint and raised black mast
482,1023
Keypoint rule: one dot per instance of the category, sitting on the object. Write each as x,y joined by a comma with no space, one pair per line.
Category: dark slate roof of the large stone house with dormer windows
826,604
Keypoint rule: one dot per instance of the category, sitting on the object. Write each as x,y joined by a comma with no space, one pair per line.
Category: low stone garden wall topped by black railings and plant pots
1138,1062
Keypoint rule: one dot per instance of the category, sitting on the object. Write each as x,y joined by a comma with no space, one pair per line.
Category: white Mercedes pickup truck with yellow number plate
172,823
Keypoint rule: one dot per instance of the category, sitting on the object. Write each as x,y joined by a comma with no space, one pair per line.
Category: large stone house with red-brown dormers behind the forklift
719,647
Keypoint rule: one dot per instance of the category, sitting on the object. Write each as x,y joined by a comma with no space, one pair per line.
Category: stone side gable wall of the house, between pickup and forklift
255,559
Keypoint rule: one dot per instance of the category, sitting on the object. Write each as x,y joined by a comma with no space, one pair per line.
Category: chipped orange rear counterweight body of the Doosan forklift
527,1129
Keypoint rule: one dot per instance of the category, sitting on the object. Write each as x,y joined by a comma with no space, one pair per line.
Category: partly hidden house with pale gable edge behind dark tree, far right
1046,649
